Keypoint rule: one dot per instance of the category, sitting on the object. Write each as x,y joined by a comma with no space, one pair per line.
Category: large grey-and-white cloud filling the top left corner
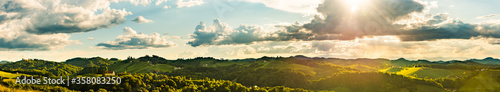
49,17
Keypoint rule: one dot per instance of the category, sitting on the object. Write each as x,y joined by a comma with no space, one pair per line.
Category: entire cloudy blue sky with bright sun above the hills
420,29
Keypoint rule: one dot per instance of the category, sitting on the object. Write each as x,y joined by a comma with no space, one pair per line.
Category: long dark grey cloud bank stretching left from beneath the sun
335,22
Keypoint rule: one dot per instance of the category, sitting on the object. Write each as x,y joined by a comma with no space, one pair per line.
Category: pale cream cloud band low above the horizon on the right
389,47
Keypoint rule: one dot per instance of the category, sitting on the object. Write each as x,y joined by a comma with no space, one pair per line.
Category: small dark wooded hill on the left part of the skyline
90,62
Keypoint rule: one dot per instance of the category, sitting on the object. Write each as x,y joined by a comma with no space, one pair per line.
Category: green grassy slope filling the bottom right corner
485,81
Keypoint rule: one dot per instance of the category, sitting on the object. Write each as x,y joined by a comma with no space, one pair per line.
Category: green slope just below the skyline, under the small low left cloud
139,67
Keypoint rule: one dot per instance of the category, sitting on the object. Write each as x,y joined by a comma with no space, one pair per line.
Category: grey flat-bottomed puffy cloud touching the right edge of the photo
442,27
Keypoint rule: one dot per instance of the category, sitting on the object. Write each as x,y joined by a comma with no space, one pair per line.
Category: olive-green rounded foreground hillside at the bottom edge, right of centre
376,82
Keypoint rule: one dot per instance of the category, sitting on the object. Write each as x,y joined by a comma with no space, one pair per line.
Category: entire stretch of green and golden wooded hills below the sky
276,74
